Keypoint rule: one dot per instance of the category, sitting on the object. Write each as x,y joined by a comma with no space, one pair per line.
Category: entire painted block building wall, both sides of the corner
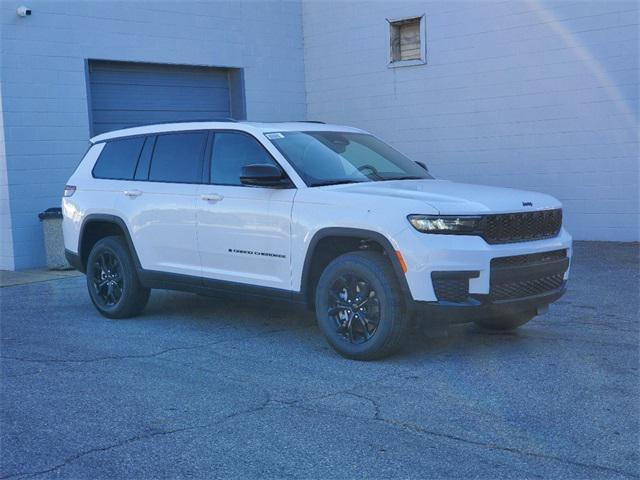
531,94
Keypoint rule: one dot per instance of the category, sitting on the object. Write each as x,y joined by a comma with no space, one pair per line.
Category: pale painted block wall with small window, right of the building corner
540,95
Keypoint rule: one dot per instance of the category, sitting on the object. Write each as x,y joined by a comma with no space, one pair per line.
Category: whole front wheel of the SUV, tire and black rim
382,312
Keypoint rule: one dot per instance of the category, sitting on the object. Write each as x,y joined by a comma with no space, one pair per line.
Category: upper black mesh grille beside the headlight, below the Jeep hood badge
521,227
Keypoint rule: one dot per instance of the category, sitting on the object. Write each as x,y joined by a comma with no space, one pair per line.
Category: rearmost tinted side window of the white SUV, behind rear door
118,159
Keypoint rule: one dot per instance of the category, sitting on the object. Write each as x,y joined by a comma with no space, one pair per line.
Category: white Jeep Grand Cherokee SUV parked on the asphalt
322,214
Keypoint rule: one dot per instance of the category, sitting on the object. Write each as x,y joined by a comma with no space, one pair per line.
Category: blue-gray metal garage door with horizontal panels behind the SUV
124,94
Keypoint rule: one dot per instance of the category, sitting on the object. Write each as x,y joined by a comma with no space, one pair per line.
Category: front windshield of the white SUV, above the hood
329,158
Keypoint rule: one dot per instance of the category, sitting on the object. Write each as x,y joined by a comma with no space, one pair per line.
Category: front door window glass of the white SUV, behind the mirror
232,151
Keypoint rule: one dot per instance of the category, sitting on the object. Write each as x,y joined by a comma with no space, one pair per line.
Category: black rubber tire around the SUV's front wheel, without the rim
388,306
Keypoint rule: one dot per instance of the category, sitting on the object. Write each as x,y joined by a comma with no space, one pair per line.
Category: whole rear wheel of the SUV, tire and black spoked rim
112,281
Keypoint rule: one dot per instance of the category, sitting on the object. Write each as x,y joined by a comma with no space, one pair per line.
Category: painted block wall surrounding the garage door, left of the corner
46,120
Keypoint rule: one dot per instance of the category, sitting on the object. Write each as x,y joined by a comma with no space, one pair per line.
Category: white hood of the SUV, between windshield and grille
455,198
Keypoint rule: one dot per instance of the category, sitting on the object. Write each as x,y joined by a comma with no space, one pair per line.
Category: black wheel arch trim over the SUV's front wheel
363,237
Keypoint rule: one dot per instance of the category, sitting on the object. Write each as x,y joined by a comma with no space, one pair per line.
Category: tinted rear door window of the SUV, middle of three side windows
177,157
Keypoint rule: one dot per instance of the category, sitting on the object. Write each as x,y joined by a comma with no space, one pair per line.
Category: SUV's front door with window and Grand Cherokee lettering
244,232
